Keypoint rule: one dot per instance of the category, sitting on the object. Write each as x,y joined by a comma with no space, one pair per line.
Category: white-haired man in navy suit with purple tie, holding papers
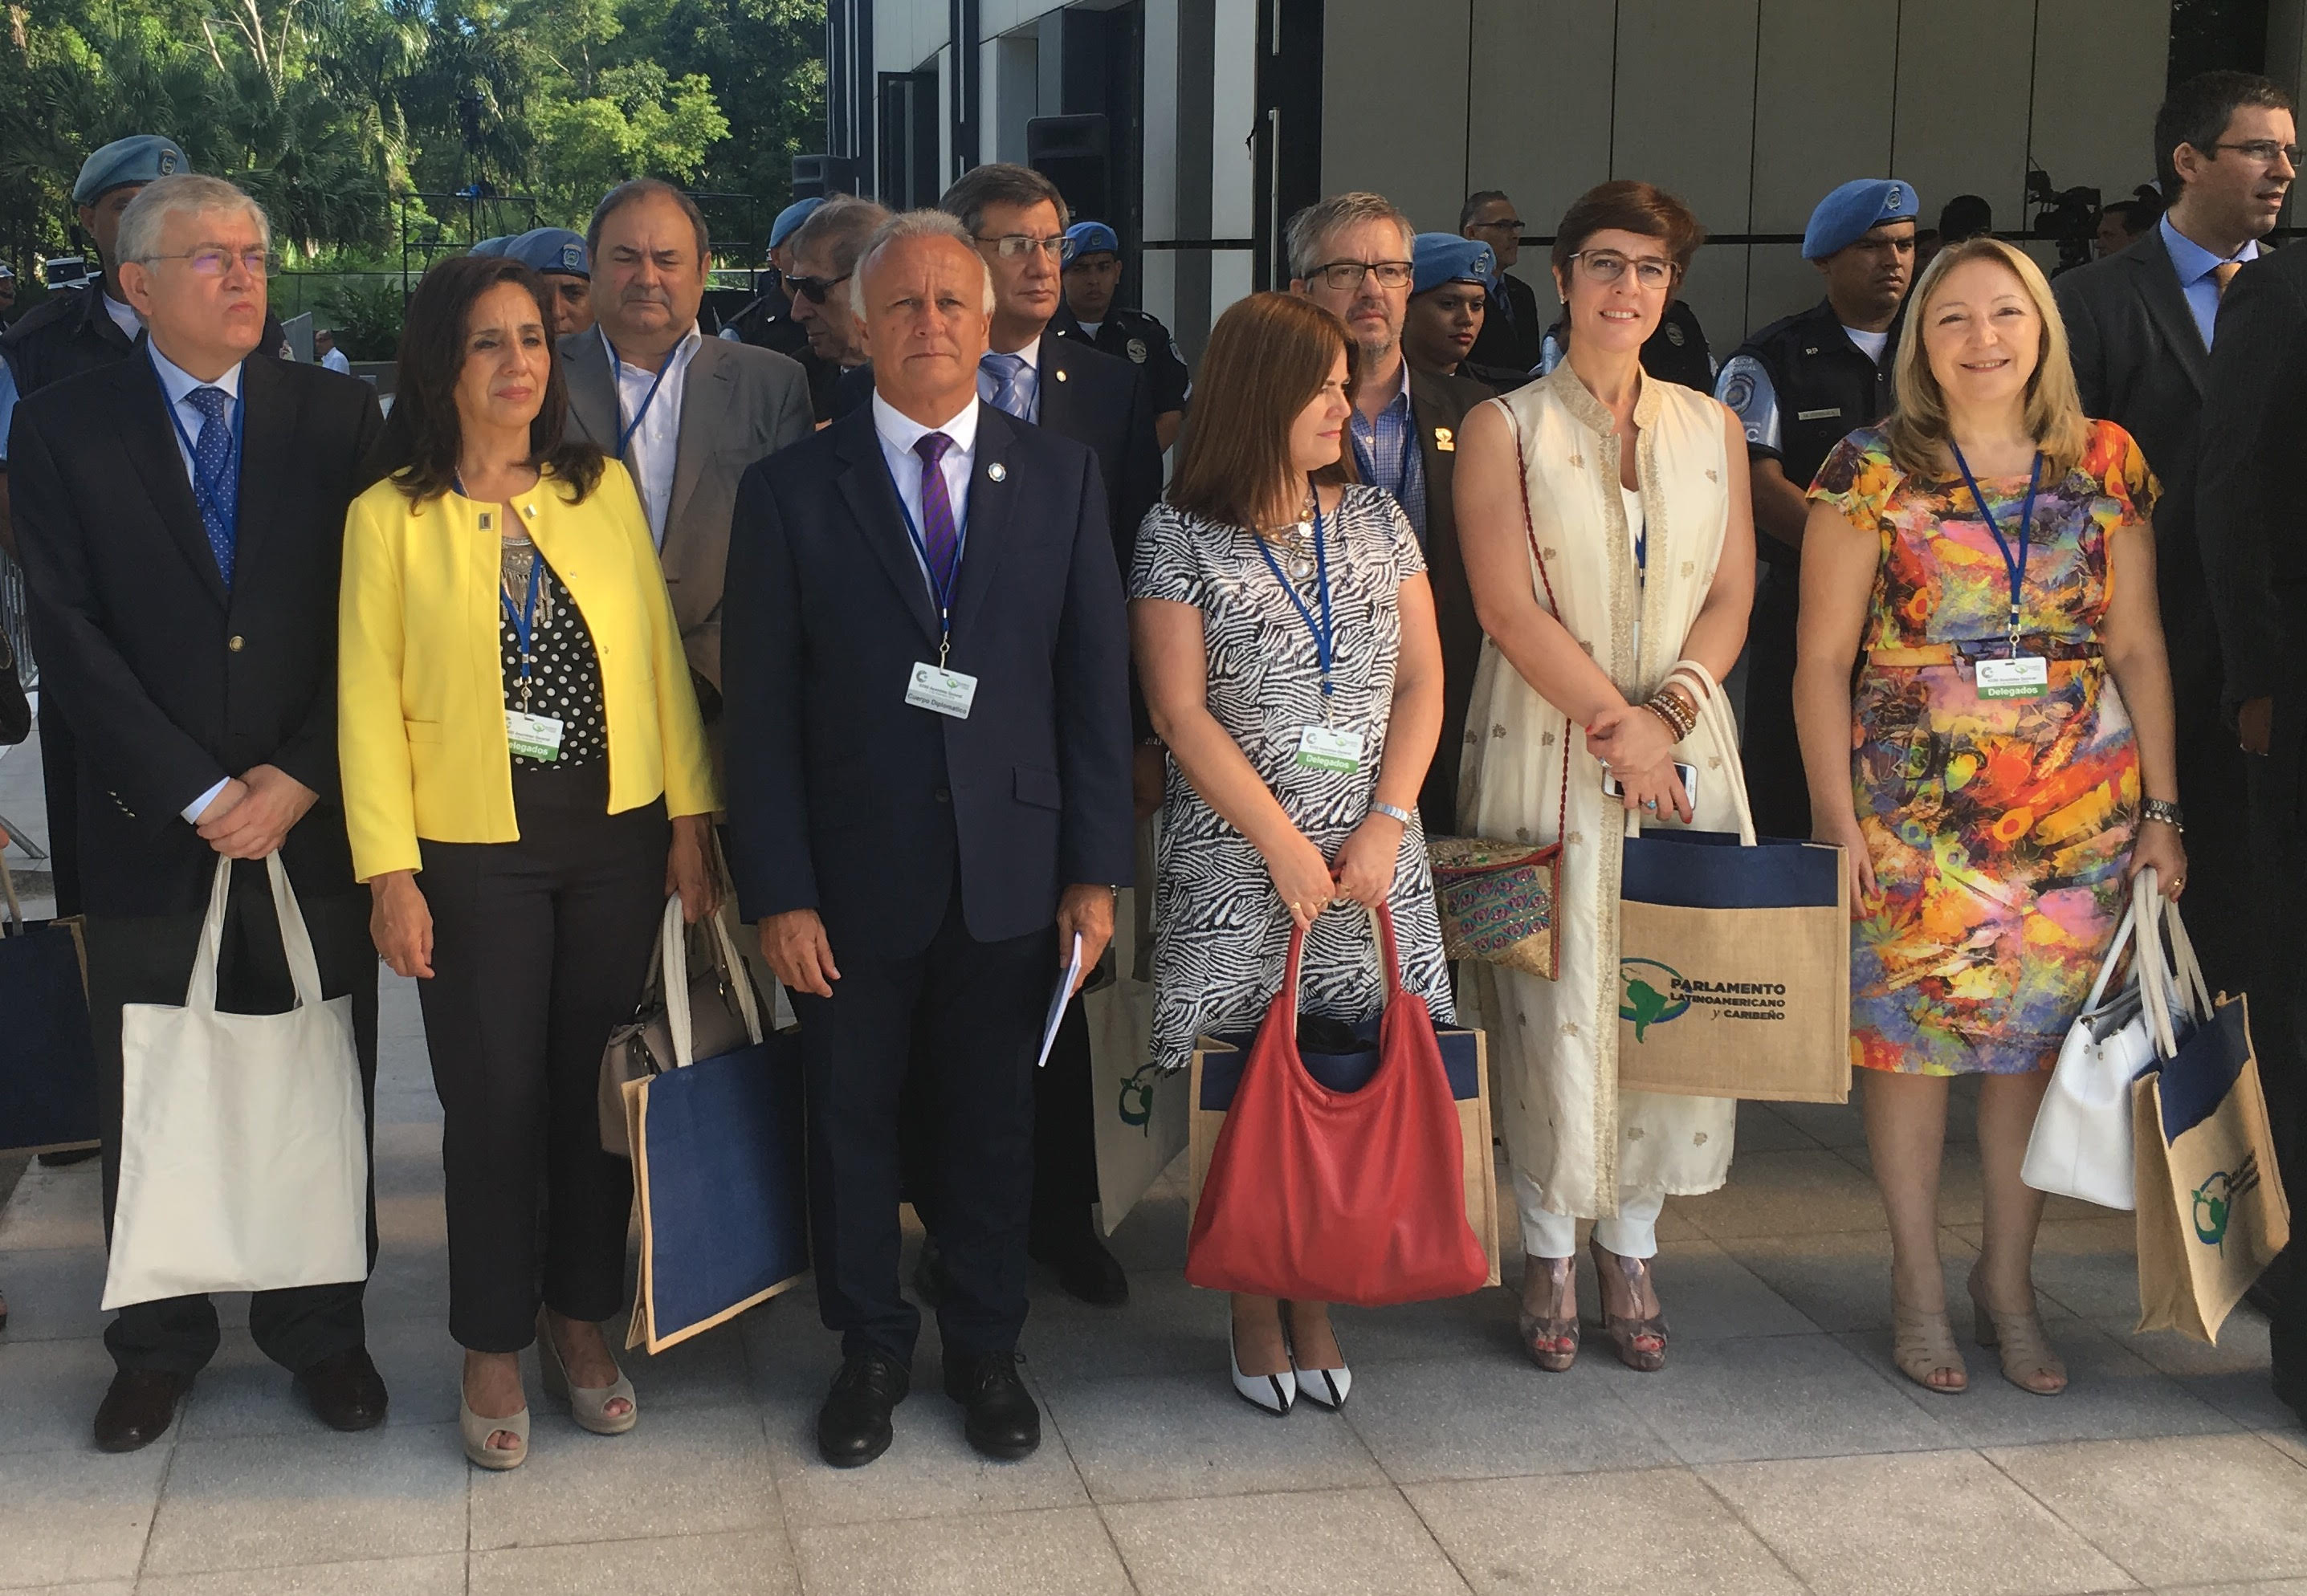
929,767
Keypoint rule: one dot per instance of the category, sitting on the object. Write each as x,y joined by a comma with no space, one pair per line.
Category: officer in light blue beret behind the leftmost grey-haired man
68,333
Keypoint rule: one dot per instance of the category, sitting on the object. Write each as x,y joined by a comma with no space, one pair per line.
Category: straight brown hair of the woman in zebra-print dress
1265,361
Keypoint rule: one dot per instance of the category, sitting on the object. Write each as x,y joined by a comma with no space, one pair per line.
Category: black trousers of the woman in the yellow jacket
541,949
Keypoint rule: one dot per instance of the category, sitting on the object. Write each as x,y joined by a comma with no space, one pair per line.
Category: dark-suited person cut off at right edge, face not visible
2255,437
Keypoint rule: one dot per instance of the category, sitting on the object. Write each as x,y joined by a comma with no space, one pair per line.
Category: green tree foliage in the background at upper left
333,112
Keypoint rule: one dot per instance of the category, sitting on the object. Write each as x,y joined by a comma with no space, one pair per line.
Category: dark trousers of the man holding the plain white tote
149,961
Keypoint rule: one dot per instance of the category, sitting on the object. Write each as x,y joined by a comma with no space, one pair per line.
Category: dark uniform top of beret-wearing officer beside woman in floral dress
1801,386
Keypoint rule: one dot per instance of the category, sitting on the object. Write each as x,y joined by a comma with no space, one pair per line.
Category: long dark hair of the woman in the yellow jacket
423,437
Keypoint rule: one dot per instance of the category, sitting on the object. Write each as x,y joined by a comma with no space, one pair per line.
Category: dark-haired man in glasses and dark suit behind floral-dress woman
2142,333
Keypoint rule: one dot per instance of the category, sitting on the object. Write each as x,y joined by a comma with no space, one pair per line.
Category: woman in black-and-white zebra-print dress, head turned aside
1286,640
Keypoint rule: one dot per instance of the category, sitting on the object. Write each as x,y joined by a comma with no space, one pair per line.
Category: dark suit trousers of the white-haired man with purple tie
972,1014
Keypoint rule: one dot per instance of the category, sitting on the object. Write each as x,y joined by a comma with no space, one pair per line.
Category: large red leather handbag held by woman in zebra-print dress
1339,1196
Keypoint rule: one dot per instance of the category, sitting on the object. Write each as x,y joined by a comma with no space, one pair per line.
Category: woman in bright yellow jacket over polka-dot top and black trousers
525,781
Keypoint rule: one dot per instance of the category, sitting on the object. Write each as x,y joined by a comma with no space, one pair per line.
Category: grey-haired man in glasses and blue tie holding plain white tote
181,518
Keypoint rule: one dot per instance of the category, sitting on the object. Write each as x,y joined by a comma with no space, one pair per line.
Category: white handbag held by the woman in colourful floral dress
2082,1143
